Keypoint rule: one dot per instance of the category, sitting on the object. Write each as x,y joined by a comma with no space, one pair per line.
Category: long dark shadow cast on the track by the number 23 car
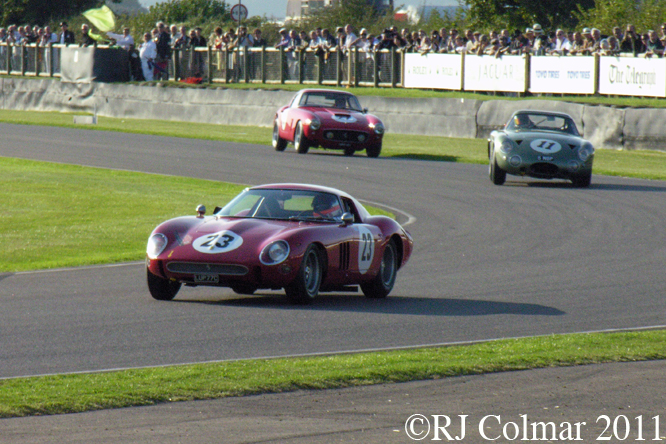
391,305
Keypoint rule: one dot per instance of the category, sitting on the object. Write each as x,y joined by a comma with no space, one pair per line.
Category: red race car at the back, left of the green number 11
329,119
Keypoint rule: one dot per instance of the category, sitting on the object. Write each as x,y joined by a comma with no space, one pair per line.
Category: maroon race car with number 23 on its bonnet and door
303,238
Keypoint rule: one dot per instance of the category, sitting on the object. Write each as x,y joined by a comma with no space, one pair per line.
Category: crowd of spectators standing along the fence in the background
152,54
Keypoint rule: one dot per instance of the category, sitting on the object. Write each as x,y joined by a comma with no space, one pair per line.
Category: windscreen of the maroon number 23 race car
303,205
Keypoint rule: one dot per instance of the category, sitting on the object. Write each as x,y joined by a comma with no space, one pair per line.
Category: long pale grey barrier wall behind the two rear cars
604,126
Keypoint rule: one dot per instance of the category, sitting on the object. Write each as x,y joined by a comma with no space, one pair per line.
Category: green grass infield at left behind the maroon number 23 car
54,215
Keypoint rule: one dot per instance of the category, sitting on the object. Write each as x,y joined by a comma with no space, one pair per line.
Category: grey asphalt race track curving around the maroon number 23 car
527,258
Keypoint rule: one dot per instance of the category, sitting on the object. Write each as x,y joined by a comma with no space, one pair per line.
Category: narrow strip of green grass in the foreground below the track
82,392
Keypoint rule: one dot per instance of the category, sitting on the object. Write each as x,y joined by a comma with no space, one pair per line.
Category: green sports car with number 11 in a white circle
540,144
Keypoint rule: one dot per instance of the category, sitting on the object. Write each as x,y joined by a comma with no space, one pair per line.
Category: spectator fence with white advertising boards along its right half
515,75
